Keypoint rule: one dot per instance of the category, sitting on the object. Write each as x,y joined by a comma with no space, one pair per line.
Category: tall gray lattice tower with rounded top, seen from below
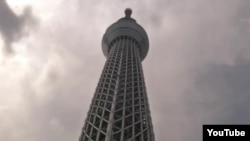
119,110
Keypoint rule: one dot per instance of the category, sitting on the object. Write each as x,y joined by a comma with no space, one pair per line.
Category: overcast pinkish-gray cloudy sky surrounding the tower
197,70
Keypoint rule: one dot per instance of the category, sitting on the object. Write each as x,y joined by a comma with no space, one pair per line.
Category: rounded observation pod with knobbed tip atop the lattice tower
126,26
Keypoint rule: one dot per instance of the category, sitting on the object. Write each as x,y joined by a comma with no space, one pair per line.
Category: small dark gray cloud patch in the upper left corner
12,26
